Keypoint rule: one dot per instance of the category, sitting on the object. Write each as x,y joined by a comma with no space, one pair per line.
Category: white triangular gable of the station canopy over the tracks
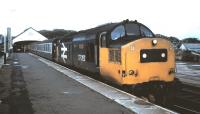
29,34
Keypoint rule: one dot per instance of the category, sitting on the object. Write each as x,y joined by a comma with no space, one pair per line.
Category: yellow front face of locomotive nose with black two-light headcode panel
147,60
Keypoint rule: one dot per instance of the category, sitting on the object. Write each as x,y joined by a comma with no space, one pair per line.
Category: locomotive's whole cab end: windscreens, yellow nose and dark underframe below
131,56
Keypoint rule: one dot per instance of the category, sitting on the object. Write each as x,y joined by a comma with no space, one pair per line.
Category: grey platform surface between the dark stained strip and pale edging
52,92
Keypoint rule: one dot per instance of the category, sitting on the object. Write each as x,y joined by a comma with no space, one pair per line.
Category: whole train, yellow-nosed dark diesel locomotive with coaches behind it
126,53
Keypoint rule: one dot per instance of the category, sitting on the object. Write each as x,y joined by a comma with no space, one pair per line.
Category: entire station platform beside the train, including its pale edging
33,85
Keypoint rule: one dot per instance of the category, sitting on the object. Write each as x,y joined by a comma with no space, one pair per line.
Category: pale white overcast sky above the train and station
179,18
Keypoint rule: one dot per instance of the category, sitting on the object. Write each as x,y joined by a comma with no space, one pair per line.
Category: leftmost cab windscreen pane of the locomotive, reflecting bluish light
118,32
